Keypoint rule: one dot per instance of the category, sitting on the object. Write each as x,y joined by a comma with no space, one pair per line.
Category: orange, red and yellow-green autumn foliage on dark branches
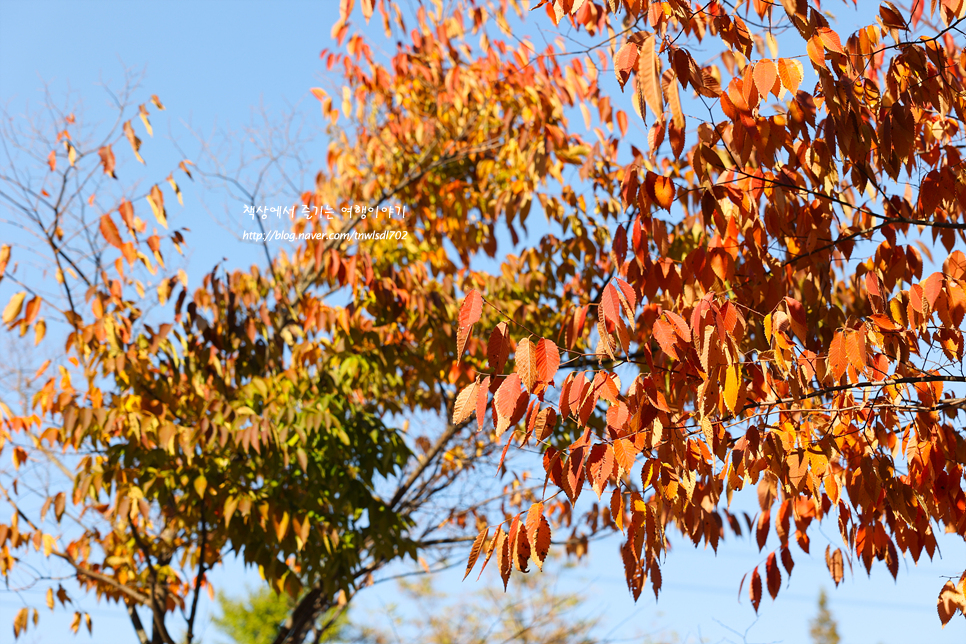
747,294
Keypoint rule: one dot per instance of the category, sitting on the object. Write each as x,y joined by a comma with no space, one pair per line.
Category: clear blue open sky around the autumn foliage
214,64
